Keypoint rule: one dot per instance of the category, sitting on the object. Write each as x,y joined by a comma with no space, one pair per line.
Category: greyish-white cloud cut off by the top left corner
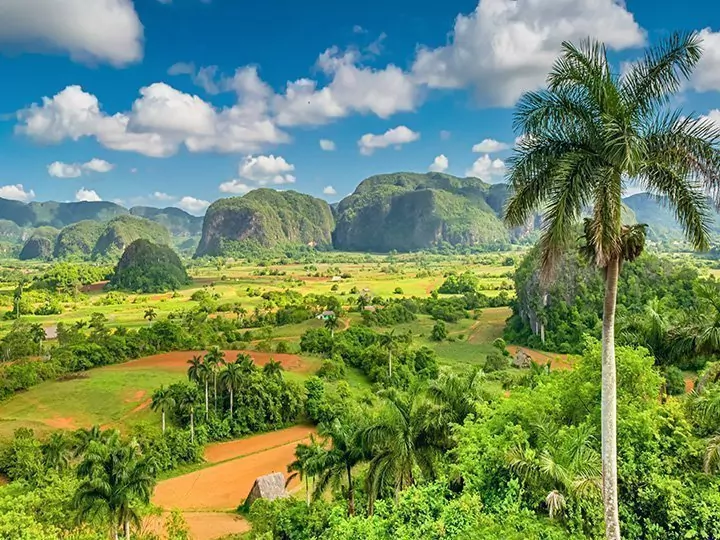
90,31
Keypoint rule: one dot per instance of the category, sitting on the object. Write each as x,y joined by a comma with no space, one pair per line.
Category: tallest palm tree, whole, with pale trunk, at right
582,141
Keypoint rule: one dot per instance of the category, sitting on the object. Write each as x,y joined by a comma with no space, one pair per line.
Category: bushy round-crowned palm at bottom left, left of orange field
115,479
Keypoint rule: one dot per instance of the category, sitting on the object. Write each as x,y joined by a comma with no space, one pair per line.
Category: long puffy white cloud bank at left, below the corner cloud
160,121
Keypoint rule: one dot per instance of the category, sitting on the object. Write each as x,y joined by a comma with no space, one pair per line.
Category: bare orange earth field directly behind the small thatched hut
225,486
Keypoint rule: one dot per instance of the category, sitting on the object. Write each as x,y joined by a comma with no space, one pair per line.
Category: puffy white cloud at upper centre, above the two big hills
353,89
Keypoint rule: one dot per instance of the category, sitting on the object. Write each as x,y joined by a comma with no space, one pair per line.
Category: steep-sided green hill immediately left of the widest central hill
267,218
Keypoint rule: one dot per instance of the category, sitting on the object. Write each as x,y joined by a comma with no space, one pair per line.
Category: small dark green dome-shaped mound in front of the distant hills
148,267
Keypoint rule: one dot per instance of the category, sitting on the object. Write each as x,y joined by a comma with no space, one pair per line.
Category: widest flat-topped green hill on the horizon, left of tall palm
410,211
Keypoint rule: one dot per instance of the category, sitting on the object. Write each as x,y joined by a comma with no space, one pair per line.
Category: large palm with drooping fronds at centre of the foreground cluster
405,437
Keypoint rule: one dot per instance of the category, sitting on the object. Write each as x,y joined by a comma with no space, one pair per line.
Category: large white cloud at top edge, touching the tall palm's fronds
506,47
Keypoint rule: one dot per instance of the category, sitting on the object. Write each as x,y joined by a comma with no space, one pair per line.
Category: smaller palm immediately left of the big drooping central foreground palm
341,451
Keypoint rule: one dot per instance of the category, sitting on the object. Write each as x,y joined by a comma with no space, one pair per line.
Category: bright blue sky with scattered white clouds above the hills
181,102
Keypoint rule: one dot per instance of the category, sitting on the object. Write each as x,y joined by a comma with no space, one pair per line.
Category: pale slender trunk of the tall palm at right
609,404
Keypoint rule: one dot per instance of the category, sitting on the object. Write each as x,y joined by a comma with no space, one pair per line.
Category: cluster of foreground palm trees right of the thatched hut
409,434
